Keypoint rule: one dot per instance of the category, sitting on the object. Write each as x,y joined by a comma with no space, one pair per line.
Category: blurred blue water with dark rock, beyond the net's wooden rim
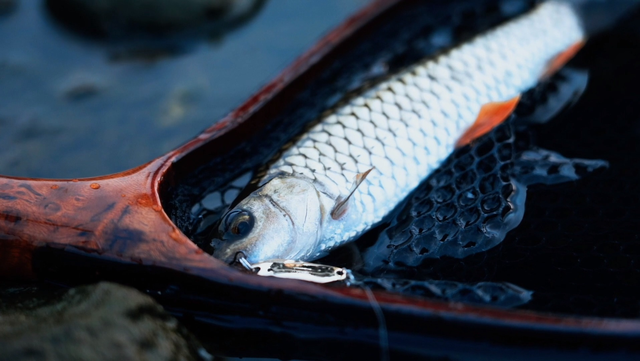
91,87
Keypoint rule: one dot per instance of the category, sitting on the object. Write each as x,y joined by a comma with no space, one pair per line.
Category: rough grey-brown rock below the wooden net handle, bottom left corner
99,322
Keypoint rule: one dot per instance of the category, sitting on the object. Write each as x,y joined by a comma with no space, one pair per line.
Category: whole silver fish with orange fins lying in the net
361,158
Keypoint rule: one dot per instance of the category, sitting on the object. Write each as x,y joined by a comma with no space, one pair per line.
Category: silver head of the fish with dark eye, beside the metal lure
280,220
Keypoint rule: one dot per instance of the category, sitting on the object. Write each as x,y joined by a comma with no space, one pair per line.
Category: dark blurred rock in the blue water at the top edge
119,17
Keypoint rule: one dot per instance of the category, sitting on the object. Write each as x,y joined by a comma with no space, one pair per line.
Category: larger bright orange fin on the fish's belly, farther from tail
491,115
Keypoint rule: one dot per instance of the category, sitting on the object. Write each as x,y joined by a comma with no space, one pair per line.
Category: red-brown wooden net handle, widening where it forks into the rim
118,217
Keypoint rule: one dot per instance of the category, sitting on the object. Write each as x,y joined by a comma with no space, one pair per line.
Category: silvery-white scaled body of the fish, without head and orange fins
407,125
